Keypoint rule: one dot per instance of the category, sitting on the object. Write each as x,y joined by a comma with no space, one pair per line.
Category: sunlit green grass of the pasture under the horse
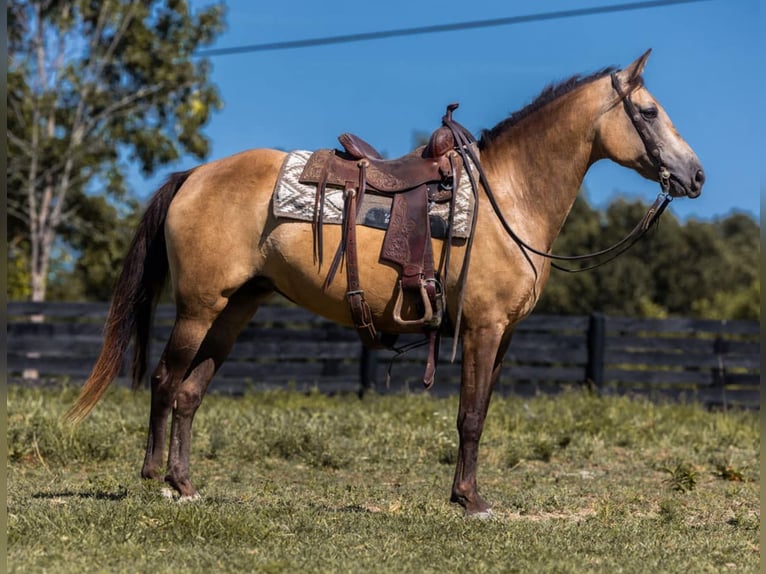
296,483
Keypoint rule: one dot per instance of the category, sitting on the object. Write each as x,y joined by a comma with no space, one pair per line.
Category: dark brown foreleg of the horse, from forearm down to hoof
483,351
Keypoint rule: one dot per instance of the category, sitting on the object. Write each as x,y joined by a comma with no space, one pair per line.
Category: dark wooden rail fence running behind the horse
715,362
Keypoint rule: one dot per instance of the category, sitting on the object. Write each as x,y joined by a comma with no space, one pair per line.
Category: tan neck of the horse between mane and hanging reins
539,164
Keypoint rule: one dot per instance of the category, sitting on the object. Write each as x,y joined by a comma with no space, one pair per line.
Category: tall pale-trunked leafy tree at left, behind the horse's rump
93,86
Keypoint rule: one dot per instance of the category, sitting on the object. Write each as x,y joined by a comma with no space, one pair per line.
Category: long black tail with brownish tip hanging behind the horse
143,276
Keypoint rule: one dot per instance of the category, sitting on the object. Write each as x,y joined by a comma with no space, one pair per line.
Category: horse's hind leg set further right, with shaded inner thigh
212,353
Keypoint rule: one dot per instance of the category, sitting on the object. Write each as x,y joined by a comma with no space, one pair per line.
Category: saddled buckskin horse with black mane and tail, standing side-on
212,231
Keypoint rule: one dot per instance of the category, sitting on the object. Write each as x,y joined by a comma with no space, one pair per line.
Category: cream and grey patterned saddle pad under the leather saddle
295,200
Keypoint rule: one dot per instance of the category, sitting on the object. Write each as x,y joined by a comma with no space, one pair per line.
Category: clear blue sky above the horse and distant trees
704,69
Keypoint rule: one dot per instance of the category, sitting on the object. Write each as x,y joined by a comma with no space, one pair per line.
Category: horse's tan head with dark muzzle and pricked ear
636,132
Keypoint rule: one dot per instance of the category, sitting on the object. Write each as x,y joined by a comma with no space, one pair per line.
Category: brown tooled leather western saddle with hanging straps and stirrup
427,174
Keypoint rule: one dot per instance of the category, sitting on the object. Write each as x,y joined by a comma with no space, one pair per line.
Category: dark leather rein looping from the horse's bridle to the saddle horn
464,138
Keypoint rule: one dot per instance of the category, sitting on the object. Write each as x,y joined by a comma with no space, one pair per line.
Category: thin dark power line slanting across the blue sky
493,22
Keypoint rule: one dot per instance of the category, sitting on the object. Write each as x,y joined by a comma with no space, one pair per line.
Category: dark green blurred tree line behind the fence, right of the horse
701,269
